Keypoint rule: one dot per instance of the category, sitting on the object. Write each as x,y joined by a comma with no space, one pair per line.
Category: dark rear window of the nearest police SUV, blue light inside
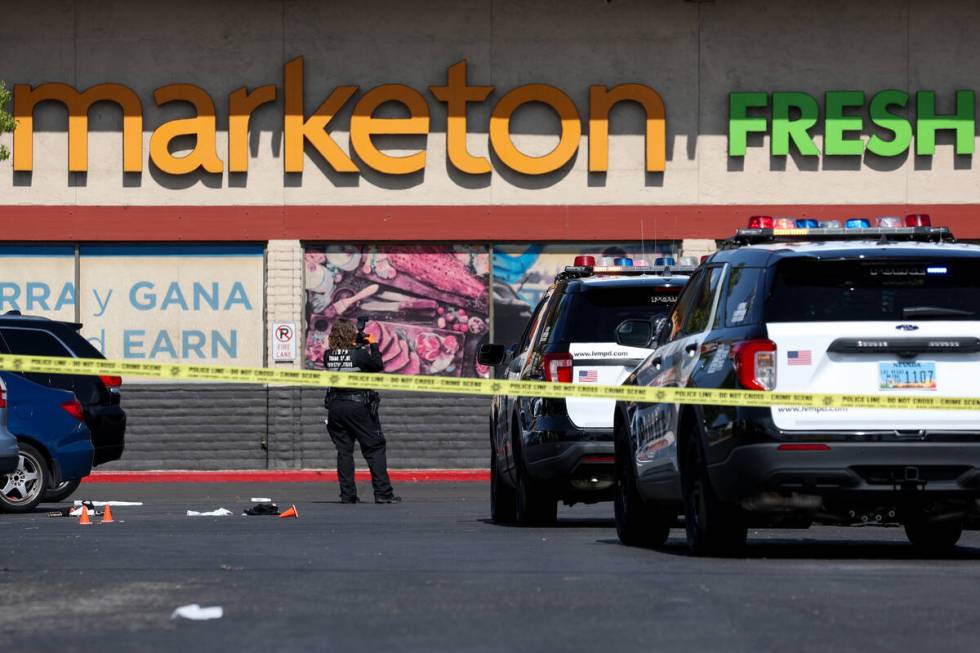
809,290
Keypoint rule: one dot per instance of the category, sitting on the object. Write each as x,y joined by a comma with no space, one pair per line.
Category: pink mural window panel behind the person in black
427,305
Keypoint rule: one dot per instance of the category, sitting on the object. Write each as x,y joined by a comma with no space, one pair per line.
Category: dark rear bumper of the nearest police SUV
851,470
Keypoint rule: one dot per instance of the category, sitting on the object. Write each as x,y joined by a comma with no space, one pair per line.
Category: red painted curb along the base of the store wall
285,476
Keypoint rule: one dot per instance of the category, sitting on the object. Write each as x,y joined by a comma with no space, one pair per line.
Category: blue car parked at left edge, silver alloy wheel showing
54,444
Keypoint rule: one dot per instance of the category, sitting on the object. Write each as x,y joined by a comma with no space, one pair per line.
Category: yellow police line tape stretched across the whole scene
469,386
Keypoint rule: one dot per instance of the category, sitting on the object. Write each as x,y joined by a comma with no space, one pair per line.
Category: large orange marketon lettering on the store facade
300,130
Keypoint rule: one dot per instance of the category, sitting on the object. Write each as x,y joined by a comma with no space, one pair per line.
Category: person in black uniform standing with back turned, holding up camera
353,414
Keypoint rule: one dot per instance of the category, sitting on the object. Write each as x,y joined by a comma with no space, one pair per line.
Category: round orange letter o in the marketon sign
571,129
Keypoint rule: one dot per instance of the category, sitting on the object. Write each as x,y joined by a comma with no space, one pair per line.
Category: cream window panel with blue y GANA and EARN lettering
174,303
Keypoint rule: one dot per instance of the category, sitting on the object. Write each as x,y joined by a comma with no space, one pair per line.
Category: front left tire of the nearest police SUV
637,522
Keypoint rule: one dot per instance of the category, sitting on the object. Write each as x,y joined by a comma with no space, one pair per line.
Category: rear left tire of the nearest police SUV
714,528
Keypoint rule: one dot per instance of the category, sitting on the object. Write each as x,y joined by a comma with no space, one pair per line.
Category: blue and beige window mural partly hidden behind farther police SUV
523,272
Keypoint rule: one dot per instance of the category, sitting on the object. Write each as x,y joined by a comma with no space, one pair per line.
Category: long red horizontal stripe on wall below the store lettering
430,223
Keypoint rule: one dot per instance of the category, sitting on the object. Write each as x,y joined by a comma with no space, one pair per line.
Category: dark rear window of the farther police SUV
593,315
